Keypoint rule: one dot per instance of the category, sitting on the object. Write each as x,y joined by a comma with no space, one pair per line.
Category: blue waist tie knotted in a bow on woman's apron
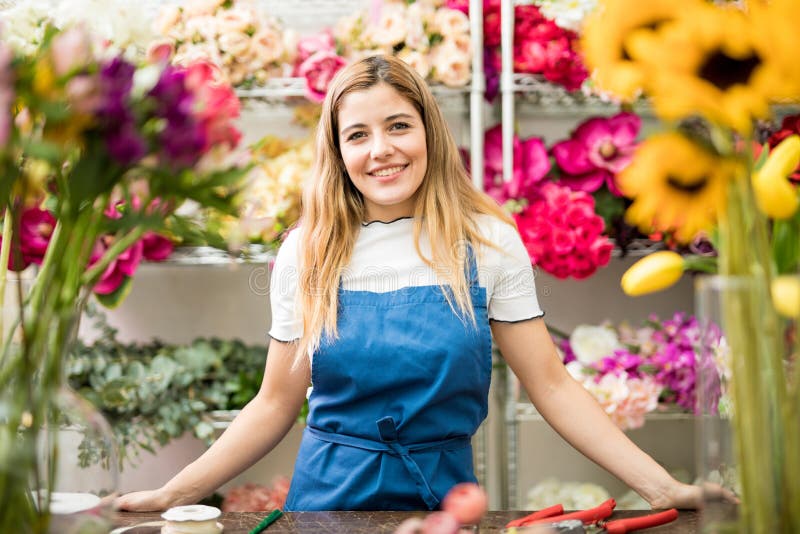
390,444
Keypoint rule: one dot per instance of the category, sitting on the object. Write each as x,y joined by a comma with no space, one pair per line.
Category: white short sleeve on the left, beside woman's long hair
287,323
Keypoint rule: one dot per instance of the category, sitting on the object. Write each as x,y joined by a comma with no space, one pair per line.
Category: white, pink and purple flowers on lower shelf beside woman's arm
634,371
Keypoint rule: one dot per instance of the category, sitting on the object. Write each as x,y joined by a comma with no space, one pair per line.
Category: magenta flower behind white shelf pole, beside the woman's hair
531,165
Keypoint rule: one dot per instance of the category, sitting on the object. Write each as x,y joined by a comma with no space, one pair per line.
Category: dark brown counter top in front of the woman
372,522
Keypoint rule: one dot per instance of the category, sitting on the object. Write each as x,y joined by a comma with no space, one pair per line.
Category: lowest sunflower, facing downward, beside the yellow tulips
676,186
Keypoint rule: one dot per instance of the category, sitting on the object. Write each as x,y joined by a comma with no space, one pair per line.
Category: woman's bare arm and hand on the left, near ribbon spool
258,428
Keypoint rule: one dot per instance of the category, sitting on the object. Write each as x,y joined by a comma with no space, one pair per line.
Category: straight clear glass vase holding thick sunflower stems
747,414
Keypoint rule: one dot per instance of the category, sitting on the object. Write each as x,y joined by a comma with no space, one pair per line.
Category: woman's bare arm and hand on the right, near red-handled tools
578,418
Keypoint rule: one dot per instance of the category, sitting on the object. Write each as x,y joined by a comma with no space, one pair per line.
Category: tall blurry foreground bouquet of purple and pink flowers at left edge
110,151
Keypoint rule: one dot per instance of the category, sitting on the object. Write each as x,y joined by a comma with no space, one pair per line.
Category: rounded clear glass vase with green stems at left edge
58,463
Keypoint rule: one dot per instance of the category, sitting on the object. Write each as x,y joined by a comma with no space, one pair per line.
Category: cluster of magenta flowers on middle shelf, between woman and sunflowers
565,198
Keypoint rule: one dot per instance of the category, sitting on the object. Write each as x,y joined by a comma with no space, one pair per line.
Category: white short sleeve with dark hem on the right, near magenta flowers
510,280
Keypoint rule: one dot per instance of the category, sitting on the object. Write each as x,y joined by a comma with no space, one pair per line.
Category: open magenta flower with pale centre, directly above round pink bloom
598,149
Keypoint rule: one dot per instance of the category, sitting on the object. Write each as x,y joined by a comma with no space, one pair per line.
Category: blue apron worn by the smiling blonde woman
396,399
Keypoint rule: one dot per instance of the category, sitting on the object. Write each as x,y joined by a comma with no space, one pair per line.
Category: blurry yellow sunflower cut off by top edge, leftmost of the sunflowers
605,35
